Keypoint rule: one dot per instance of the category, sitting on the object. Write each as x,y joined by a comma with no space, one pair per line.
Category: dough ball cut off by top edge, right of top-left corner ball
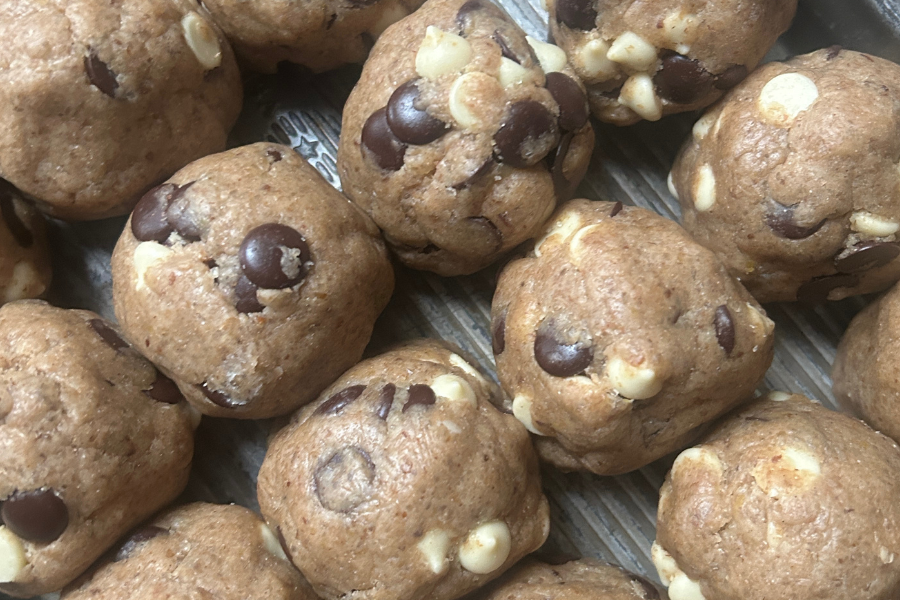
319,34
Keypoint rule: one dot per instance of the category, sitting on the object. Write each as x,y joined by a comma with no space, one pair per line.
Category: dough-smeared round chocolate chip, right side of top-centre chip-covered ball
526,136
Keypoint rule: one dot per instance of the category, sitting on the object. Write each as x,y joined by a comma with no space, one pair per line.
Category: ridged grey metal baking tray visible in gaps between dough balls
612,518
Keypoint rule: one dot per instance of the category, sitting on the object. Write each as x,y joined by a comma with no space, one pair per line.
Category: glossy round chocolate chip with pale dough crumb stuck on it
274,256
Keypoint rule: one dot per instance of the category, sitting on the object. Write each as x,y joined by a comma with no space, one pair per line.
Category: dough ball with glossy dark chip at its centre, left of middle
250,281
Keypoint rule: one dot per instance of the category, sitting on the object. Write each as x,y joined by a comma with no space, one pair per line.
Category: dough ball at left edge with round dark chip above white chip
93,440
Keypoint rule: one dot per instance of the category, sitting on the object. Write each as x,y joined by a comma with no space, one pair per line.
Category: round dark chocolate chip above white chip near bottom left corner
37,515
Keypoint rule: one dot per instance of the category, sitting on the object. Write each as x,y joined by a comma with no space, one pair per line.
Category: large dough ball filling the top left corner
101,100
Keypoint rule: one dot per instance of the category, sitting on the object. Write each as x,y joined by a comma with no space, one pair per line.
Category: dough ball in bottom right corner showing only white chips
786,500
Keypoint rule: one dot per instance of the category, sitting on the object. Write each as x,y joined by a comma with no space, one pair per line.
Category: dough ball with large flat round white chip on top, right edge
793,178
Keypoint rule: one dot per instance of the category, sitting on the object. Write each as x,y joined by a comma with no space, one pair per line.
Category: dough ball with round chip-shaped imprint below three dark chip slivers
403,481
